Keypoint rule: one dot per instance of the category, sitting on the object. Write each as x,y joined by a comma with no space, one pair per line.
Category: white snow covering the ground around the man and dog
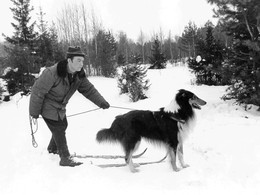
223,150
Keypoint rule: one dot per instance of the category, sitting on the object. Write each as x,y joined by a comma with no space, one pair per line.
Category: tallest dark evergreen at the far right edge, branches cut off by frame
240,20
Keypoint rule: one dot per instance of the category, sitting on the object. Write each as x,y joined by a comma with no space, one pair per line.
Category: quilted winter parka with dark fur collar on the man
52,91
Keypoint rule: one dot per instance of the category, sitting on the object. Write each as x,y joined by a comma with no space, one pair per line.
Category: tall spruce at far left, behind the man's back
21,52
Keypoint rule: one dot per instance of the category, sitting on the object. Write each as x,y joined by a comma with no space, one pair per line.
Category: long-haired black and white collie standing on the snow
169,125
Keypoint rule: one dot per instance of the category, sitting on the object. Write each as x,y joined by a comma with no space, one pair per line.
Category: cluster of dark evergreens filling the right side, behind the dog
229,54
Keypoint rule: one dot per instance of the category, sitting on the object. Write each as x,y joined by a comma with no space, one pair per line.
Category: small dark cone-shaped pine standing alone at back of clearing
158,60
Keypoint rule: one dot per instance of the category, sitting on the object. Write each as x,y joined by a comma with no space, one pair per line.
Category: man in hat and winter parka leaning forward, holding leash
51,93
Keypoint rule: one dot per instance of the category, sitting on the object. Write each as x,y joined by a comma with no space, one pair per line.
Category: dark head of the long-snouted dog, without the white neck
184,97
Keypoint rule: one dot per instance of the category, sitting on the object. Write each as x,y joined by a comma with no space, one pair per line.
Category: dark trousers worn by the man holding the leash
58,140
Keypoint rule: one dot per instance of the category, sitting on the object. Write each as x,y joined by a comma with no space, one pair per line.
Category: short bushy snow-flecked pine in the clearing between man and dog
132,81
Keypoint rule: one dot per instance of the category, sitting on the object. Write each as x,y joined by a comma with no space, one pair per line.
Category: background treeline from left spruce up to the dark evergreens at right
36,43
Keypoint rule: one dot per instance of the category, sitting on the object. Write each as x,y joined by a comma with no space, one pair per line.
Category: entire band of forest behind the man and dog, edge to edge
224,54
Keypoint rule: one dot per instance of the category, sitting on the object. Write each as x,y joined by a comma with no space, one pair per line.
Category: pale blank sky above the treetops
130,16
